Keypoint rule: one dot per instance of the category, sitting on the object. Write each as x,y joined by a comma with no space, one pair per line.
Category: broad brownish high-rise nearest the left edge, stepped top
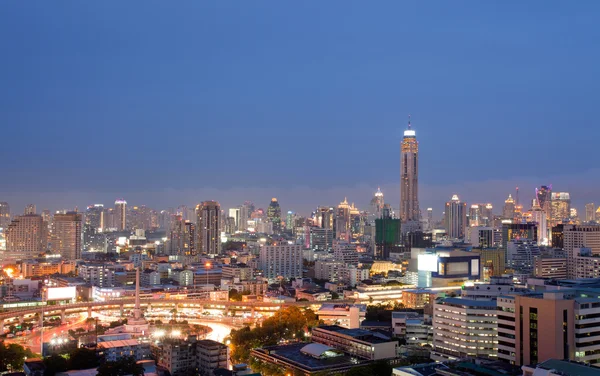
26,234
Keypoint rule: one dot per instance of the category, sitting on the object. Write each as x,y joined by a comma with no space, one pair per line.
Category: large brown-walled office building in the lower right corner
536,327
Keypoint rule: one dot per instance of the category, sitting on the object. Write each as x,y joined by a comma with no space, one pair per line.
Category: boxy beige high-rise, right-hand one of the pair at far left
67,236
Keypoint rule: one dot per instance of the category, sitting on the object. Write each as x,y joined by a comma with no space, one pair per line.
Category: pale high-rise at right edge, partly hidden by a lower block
580,236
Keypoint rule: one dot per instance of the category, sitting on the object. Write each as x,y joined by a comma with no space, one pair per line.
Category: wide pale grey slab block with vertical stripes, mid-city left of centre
281,261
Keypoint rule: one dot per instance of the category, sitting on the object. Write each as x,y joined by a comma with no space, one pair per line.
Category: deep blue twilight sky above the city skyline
169,103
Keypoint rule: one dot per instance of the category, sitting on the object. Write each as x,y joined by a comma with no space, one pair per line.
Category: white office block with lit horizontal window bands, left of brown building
464,328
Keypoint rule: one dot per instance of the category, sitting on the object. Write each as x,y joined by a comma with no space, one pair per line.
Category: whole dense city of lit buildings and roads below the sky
215,291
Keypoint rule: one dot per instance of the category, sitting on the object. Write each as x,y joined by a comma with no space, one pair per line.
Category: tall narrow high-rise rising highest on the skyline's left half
209,227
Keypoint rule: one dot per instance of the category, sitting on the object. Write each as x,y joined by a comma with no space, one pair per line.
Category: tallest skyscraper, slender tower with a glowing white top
409,177
